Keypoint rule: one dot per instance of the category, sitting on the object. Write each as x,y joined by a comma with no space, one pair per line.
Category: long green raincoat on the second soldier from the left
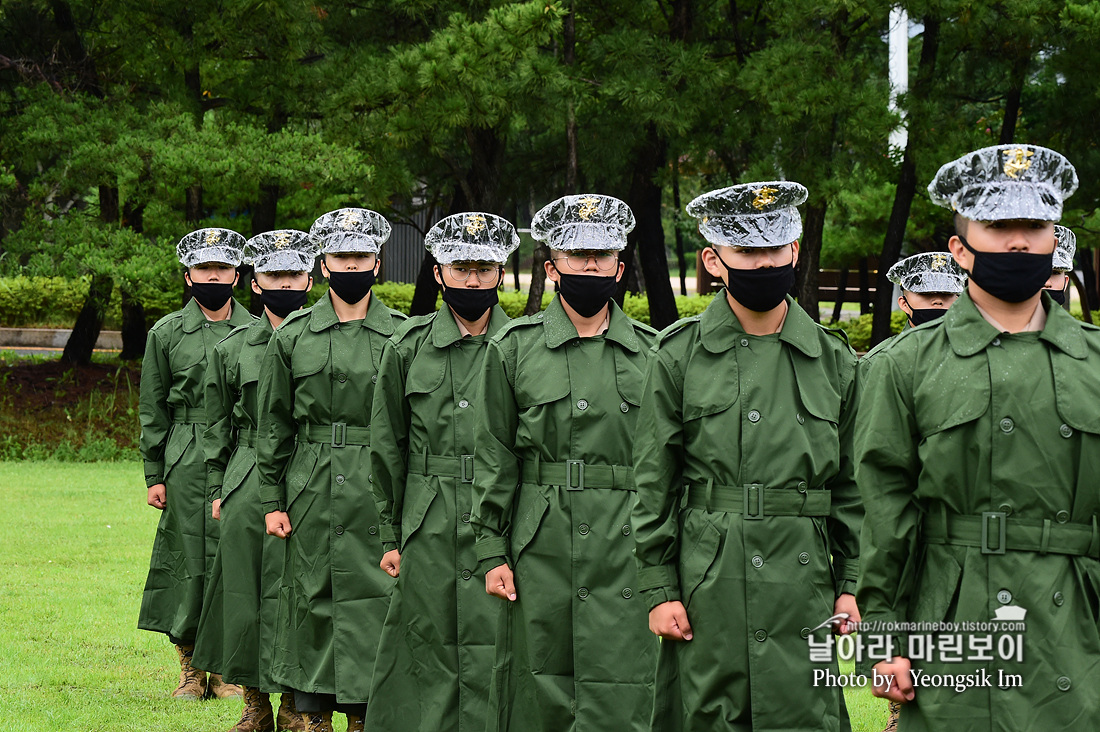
238,621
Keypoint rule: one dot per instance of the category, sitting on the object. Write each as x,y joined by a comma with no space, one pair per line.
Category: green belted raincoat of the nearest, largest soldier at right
980,455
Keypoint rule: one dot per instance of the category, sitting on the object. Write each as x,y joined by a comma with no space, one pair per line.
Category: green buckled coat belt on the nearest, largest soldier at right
994,532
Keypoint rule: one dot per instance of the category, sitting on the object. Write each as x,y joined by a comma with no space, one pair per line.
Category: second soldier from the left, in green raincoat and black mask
249,564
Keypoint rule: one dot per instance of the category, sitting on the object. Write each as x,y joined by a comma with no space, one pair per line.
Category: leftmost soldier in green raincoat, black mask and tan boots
172,424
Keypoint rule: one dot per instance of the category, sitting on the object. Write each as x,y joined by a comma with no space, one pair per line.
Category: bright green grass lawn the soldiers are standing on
73,562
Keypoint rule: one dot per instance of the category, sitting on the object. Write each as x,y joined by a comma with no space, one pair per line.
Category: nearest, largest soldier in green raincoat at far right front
978,453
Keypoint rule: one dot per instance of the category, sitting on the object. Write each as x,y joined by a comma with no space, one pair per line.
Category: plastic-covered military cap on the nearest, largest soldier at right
1006,182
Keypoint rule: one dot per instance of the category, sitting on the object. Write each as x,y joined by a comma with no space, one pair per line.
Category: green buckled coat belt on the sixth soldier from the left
757,501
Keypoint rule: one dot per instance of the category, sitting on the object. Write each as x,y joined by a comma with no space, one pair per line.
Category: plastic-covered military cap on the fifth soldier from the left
584,222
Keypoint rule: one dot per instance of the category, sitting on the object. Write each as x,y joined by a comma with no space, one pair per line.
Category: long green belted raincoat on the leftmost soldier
173,420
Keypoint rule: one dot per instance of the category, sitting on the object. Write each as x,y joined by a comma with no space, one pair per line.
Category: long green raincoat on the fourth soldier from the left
436,655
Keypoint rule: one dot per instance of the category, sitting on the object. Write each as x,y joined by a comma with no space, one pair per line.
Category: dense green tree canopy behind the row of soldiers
128,124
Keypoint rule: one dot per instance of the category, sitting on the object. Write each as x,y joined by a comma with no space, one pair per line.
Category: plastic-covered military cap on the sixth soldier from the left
751,214
